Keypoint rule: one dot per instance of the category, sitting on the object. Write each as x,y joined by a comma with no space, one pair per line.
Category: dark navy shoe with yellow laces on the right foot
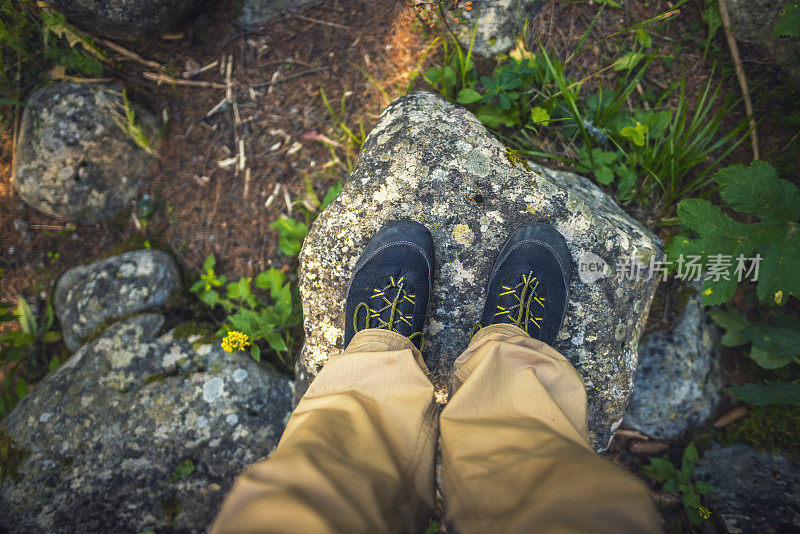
529,280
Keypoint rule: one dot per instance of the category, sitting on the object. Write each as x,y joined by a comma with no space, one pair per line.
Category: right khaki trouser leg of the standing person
515,448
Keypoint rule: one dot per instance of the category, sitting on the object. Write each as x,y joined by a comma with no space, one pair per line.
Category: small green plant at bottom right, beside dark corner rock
679,480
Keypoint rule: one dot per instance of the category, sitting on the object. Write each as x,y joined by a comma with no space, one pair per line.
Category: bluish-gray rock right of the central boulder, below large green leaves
678,380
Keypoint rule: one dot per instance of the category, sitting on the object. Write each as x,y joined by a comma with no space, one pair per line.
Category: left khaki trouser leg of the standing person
357,454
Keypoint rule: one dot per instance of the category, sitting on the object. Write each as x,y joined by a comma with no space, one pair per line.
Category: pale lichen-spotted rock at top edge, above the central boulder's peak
498,24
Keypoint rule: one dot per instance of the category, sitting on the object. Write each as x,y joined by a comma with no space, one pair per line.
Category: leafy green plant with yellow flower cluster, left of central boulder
265,313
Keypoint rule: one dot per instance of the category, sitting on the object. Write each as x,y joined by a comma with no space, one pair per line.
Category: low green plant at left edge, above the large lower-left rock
25,341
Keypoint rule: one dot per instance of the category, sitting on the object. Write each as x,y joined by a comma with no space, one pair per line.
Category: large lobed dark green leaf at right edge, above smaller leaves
757,192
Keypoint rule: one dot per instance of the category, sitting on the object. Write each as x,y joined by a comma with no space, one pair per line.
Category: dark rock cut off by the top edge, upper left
127,19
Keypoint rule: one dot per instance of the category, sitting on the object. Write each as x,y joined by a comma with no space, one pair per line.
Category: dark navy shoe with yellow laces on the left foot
392,282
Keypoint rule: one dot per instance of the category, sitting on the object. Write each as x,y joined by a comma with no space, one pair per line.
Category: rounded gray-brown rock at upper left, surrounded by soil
74,160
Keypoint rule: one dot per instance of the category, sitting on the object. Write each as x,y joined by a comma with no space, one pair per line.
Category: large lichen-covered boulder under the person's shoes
435,163
